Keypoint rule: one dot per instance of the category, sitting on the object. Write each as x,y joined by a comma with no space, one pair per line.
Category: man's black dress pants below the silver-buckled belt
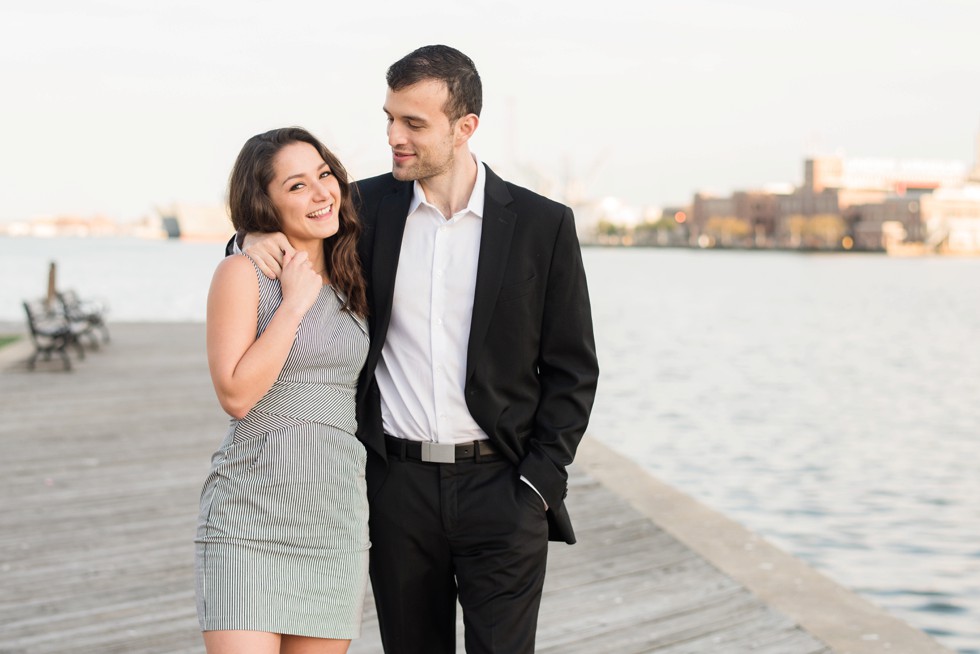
471,530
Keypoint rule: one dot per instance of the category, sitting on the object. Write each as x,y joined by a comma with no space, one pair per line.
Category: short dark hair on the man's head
448,65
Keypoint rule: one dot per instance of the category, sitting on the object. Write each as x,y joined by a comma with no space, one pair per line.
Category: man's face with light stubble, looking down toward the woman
421,137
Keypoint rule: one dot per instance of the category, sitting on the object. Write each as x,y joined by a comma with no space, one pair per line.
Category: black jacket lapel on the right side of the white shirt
497,230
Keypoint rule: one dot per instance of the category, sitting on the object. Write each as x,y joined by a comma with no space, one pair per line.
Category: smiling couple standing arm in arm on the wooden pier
425,356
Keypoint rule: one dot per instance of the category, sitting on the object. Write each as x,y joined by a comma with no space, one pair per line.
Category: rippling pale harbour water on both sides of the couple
828,403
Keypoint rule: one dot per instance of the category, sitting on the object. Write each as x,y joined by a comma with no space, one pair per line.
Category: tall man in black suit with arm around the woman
480,378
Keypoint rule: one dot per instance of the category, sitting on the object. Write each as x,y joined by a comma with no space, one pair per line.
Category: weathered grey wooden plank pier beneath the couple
99,483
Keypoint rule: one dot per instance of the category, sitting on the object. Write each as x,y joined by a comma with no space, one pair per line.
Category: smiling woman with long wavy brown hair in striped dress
282,540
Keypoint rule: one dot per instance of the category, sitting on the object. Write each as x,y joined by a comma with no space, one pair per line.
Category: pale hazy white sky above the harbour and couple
116,106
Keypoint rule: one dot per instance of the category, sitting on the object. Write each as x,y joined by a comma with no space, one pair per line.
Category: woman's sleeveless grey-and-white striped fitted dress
282,539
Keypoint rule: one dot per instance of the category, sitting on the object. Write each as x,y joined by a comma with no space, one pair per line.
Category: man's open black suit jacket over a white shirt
531,367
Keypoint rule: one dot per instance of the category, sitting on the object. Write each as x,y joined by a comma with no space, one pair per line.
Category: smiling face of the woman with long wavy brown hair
305,193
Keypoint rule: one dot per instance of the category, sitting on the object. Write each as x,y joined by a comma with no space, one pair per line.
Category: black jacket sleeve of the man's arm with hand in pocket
568,369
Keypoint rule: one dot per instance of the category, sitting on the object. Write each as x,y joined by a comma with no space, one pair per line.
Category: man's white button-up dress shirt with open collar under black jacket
422,370
